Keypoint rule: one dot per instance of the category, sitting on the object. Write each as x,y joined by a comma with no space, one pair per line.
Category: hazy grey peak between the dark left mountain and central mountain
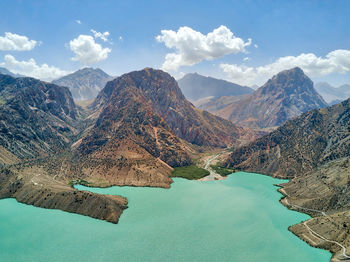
85,83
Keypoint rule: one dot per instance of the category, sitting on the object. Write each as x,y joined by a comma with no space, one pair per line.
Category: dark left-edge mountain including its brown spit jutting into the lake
39,120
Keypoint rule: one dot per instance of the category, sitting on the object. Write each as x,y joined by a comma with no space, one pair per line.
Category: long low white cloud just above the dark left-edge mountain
31,68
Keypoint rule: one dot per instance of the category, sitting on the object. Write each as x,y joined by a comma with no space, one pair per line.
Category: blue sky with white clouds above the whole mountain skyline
245,41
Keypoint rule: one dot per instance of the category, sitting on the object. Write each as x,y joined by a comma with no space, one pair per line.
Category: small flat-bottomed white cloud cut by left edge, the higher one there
16,42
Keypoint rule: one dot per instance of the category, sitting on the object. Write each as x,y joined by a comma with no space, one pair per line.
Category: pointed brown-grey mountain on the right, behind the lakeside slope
288,94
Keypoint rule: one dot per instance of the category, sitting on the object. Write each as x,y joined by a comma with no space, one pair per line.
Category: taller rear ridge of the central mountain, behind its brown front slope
165,98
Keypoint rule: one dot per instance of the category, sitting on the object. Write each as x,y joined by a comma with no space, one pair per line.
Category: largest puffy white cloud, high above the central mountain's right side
193,47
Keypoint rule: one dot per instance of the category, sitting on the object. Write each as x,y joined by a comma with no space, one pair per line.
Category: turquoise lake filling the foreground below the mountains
237,219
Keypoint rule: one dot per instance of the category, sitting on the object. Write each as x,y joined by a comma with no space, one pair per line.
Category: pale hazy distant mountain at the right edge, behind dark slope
333,94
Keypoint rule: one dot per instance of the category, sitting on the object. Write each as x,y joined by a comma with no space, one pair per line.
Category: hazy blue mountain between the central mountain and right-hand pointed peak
195,86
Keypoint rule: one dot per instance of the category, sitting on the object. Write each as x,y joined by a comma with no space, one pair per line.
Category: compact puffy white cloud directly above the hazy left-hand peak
87,51
